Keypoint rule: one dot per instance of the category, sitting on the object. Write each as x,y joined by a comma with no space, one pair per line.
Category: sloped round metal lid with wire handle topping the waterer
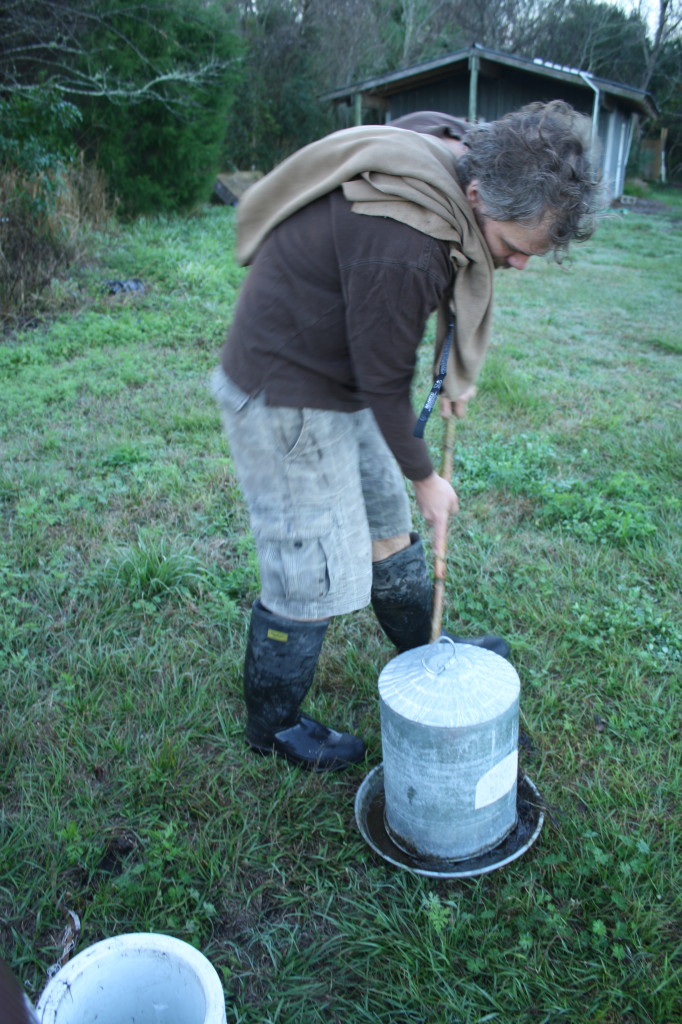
449,686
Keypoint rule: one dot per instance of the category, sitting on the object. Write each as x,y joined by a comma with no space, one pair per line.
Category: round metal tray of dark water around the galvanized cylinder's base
370,819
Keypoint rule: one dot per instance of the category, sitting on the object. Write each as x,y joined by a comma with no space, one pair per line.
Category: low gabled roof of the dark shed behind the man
631,99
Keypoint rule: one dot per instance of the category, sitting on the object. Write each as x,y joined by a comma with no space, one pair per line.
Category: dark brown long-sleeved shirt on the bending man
332,314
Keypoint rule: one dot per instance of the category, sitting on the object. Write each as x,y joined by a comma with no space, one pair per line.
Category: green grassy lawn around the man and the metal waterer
126,578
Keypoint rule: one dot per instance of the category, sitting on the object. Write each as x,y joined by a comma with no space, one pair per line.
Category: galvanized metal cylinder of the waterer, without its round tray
450,736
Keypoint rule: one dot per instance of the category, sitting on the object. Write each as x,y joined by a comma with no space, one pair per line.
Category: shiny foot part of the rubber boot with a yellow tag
313,746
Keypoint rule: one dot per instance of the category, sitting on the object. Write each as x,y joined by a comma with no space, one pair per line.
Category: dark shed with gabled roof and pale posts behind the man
483,86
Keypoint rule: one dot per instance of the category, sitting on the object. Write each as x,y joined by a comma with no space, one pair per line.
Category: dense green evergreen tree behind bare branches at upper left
160,142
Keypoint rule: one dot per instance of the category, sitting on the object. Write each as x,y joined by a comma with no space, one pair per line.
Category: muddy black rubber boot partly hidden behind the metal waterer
403,599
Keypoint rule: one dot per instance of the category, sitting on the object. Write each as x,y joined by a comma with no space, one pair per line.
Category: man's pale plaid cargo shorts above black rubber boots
320,486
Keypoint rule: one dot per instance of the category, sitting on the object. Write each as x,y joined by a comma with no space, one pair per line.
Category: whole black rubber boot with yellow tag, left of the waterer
280,665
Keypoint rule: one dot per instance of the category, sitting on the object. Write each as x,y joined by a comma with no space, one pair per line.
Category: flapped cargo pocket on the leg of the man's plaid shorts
294,552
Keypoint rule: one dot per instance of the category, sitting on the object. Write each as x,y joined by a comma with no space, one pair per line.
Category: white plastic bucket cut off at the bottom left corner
136,979
